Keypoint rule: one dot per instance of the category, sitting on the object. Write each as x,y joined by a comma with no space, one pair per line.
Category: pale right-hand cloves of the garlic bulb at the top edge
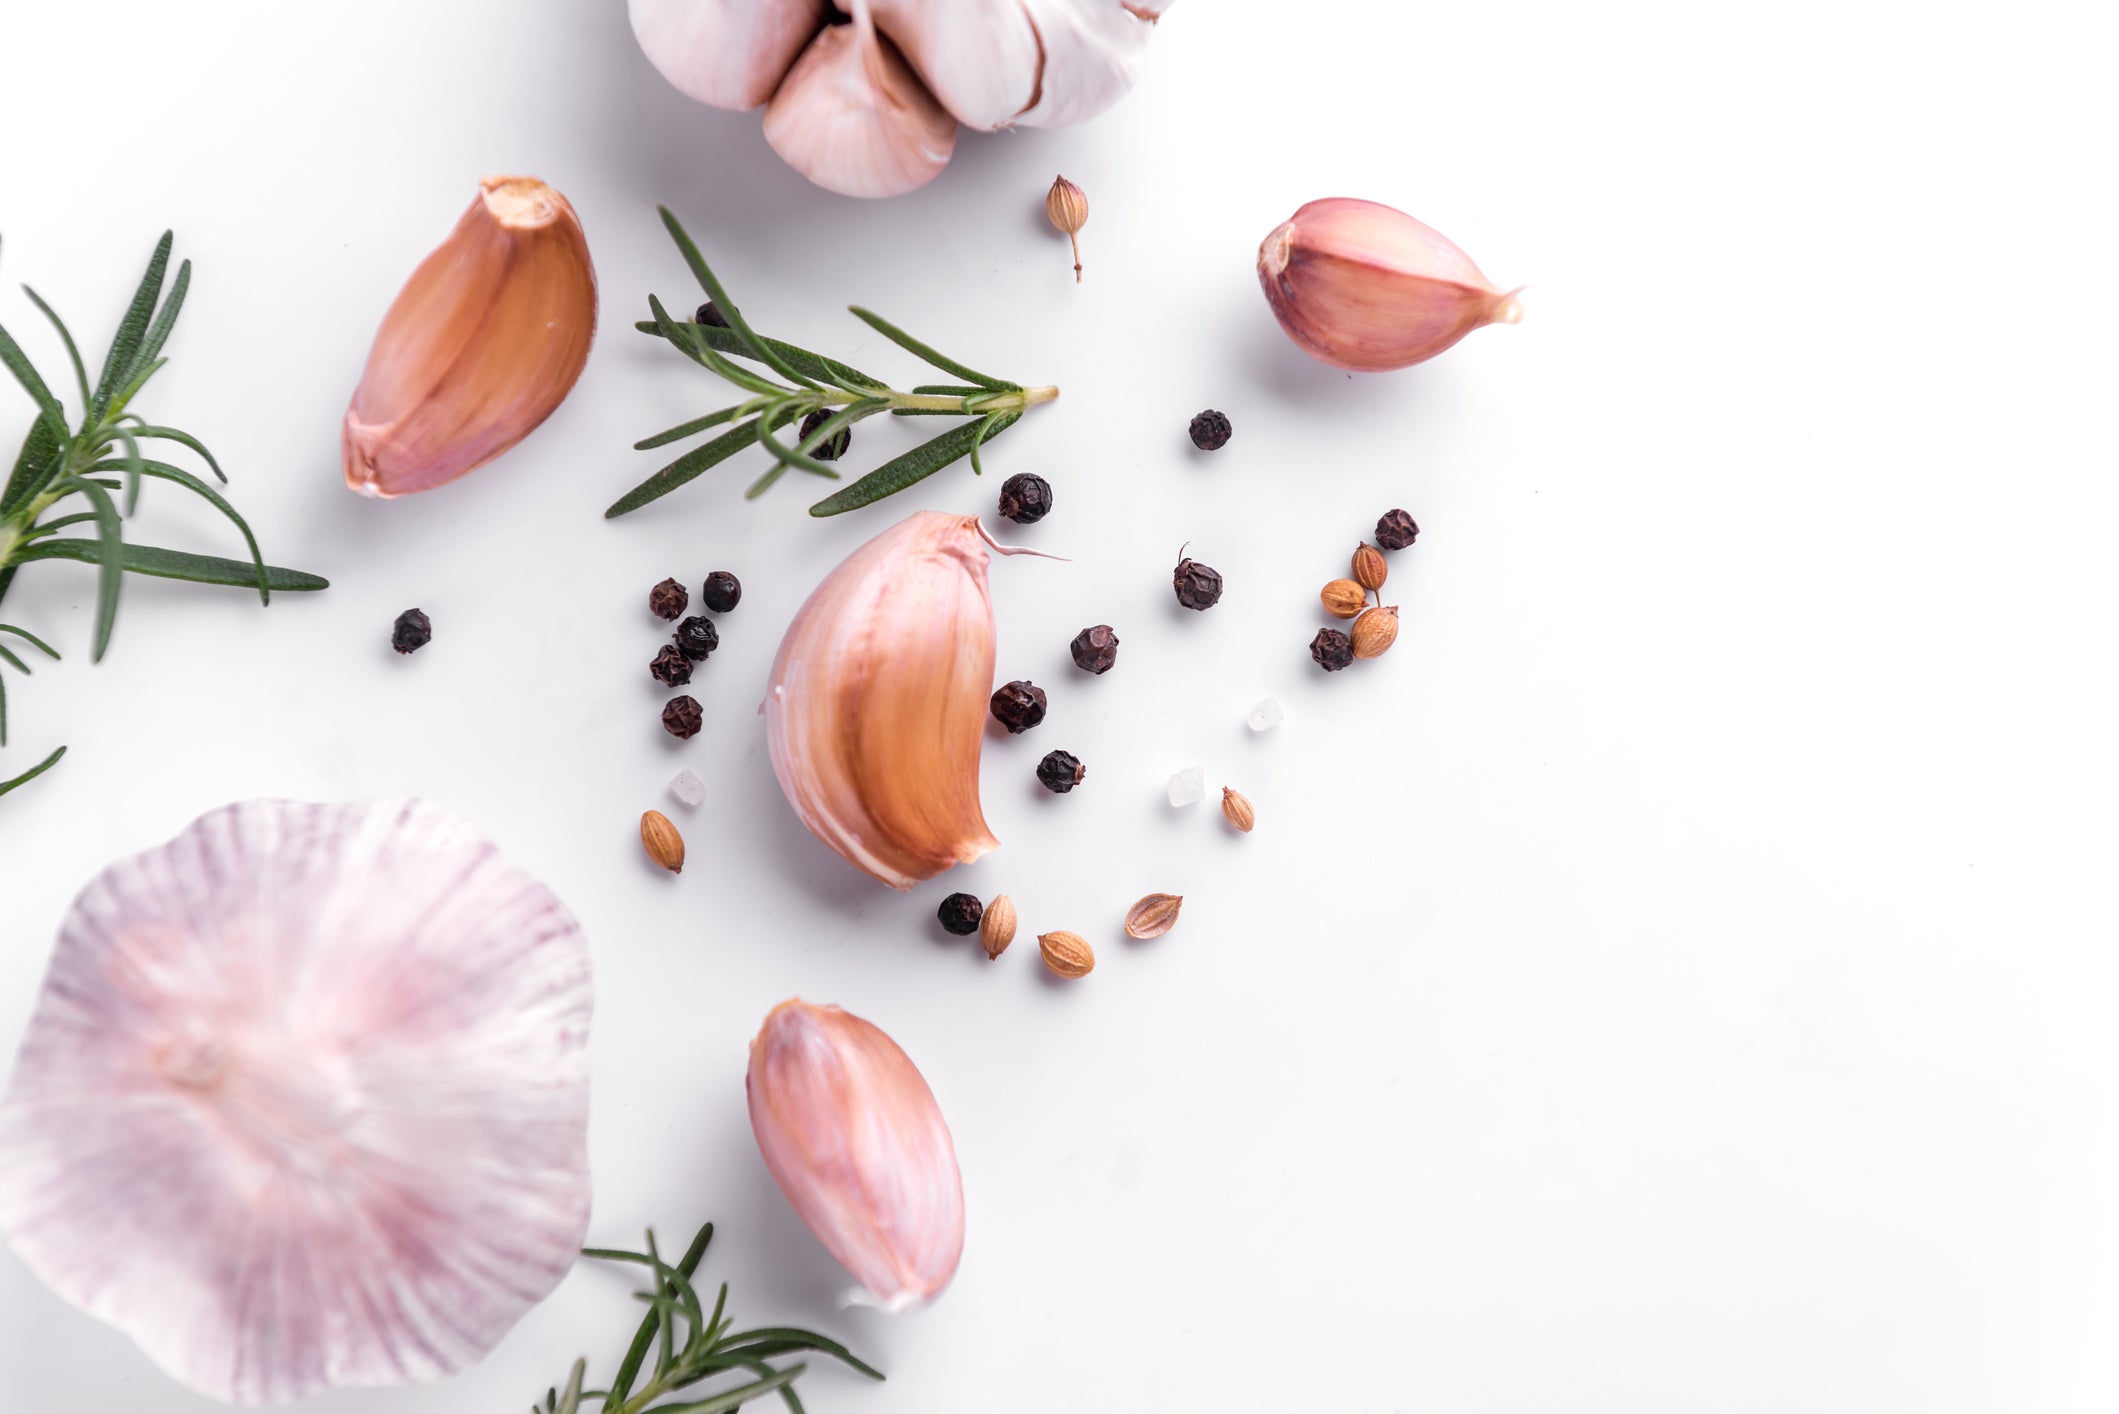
1022,63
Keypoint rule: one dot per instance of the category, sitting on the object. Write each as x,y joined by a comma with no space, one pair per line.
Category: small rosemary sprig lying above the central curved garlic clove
798,385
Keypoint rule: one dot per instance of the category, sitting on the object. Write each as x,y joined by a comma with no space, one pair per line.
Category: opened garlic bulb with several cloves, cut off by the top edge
989,65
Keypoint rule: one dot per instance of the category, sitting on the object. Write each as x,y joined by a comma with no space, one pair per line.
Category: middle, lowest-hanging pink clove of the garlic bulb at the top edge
855,120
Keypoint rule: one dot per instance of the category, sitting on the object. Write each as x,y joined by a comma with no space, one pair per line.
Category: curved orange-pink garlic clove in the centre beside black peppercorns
876,709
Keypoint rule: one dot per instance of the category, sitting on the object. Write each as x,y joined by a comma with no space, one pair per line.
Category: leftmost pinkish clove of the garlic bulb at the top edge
730,54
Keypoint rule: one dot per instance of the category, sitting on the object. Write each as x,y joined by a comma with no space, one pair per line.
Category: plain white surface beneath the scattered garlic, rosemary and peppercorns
1677,978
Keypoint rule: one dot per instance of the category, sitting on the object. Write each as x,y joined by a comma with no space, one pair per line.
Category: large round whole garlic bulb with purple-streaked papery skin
304,1099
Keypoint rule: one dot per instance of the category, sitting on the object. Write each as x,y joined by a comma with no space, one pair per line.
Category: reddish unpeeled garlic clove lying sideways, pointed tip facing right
1366,287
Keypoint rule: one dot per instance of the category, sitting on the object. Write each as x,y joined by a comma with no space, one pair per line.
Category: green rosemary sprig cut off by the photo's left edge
101,457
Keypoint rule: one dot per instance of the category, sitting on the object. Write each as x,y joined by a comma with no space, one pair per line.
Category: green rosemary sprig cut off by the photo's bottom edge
692,1347
